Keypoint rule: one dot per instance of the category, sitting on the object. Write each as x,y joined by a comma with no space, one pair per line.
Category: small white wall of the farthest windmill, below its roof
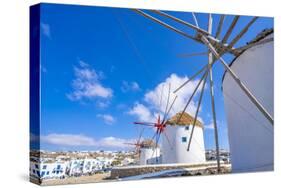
149,156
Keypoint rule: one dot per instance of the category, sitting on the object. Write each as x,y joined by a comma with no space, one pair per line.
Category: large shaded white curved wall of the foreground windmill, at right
250,133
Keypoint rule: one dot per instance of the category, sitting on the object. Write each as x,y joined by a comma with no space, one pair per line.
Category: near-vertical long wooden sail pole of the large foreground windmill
210,61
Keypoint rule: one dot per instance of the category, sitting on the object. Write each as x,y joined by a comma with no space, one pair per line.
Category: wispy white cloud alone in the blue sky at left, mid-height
87,85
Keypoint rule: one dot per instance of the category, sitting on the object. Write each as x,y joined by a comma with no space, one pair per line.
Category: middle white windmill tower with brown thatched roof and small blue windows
178,133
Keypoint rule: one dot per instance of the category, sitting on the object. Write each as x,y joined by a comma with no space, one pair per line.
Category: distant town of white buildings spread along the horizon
49,166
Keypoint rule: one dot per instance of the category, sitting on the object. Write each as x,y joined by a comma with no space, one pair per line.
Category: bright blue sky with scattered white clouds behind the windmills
101,70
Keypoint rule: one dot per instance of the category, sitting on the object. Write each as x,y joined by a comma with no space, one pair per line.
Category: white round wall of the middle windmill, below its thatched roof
176,152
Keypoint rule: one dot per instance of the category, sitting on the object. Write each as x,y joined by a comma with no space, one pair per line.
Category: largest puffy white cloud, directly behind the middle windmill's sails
152,99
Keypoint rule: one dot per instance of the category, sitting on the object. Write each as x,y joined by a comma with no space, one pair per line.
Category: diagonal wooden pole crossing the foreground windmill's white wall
238,81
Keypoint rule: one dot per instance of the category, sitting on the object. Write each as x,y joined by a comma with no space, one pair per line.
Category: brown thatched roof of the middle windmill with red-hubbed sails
186,120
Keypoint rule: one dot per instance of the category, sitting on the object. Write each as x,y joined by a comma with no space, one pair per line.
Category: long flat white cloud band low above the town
82,140
